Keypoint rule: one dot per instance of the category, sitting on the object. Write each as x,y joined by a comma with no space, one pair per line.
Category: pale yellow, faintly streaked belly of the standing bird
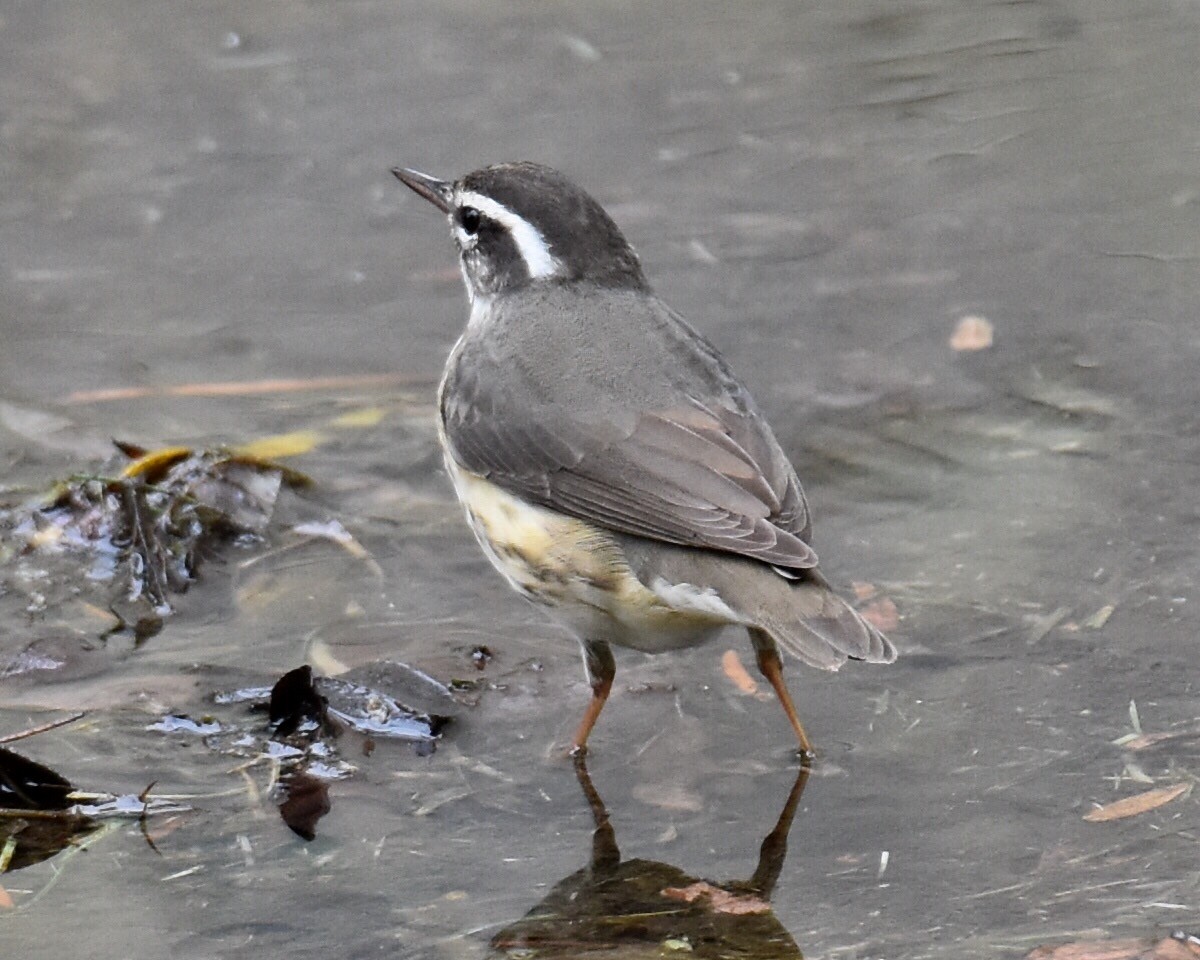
581,574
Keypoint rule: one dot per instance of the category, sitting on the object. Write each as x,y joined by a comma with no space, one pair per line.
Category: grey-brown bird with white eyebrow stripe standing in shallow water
611,465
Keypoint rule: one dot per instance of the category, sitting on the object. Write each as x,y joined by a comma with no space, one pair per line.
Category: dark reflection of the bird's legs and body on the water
634,909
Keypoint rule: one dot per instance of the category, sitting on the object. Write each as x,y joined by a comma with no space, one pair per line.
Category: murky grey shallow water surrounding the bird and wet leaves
200,194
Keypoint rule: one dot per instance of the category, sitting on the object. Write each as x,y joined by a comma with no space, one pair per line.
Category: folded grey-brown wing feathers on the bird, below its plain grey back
695,473
